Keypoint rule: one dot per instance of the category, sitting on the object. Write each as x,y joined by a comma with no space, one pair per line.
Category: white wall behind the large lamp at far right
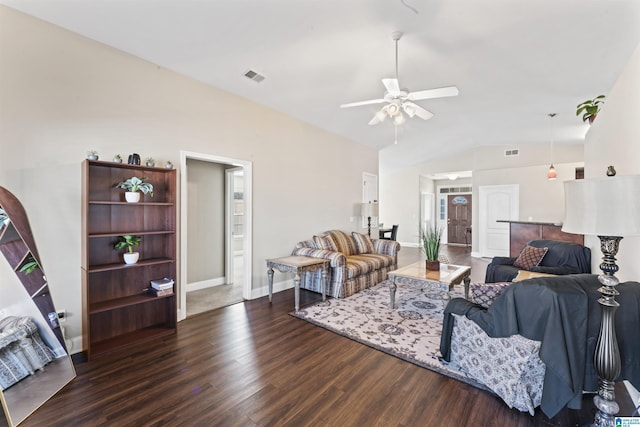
614,139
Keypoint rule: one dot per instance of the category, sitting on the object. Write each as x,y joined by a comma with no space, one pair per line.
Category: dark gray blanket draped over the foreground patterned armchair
564,315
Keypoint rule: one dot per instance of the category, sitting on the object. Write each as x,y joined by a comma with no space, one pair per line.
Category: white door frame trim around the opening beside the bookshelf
248,239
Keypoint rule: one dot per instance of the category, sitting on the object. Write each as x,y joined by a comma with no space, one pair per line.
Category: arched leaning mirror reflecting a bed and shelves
34,361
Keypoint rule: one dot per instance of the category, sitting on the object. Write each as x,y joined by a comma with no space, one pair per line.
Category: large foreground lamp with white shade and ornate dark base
609,208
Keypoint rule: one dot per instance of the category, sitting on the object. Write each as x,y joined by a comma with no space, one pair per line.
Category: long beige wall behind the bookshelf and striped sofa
62,94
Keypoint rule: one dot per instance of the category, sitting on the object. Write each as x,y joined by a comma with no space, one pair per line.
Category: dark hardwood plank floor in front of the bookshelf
251,364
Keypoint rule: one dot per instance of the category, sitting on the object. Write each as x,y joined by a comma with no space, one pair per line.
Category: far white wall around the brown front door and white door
539,197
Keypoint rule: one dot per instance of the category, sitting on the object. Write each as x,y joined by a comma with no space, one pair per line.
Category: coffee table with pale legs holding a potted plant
417,275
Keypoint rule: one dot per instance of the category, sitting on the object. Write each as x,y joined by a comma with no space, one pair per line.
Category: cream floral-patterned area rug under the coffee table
411,332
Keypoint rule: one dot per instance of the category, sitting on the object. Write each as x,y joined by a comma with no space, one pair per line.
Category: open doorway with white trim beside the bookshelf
215,232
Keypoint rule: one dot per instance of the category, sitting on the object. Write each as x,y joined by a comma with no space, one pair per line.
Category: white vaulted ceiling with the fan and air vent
514,61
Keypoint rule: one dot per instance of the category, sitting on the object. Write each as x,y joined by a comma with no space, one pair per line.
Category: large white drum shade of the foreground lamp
608,206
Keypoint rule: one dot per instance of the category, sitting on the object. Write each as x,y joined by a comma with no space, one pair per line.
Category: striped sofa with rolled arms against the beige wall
357,261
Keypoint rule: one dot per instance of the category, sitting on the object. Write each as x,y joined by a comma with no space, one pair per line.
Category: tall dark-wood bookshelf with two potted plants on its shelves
118,310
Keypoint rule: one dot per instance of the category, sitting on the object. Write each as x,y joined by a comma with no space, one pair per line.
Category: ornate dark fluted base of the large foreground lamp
607,354
